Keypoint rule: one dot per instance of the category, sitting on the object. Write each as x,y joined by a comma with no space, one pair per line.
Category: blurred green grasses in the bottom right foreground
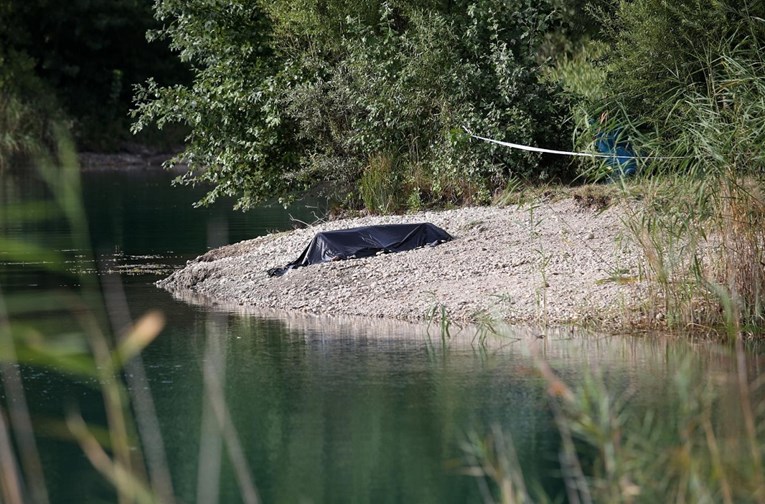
704,445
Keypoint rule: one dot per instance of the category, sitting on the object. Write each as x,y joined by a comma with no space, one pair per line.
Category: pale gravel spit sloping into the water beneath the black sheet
552,262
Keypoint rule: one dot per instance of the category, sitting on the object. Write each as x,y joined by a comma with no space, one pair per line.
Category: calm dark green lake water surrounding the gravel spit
318,410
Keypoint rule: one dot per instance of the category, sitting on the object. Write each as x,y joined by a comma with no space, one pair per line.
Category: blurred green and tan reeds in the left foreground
102,345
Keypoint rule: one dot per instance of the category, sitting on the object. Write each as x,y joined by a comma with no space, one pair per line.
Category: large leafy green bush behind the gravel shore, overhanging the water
289,96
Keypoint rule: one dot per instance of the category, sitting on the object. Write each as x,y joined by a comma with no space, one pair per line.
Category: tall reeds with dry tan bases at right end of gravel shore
701,225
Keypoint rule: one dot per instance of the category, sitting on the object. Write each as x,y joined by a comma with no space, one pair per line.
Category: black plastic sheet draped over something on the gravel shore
364,242
